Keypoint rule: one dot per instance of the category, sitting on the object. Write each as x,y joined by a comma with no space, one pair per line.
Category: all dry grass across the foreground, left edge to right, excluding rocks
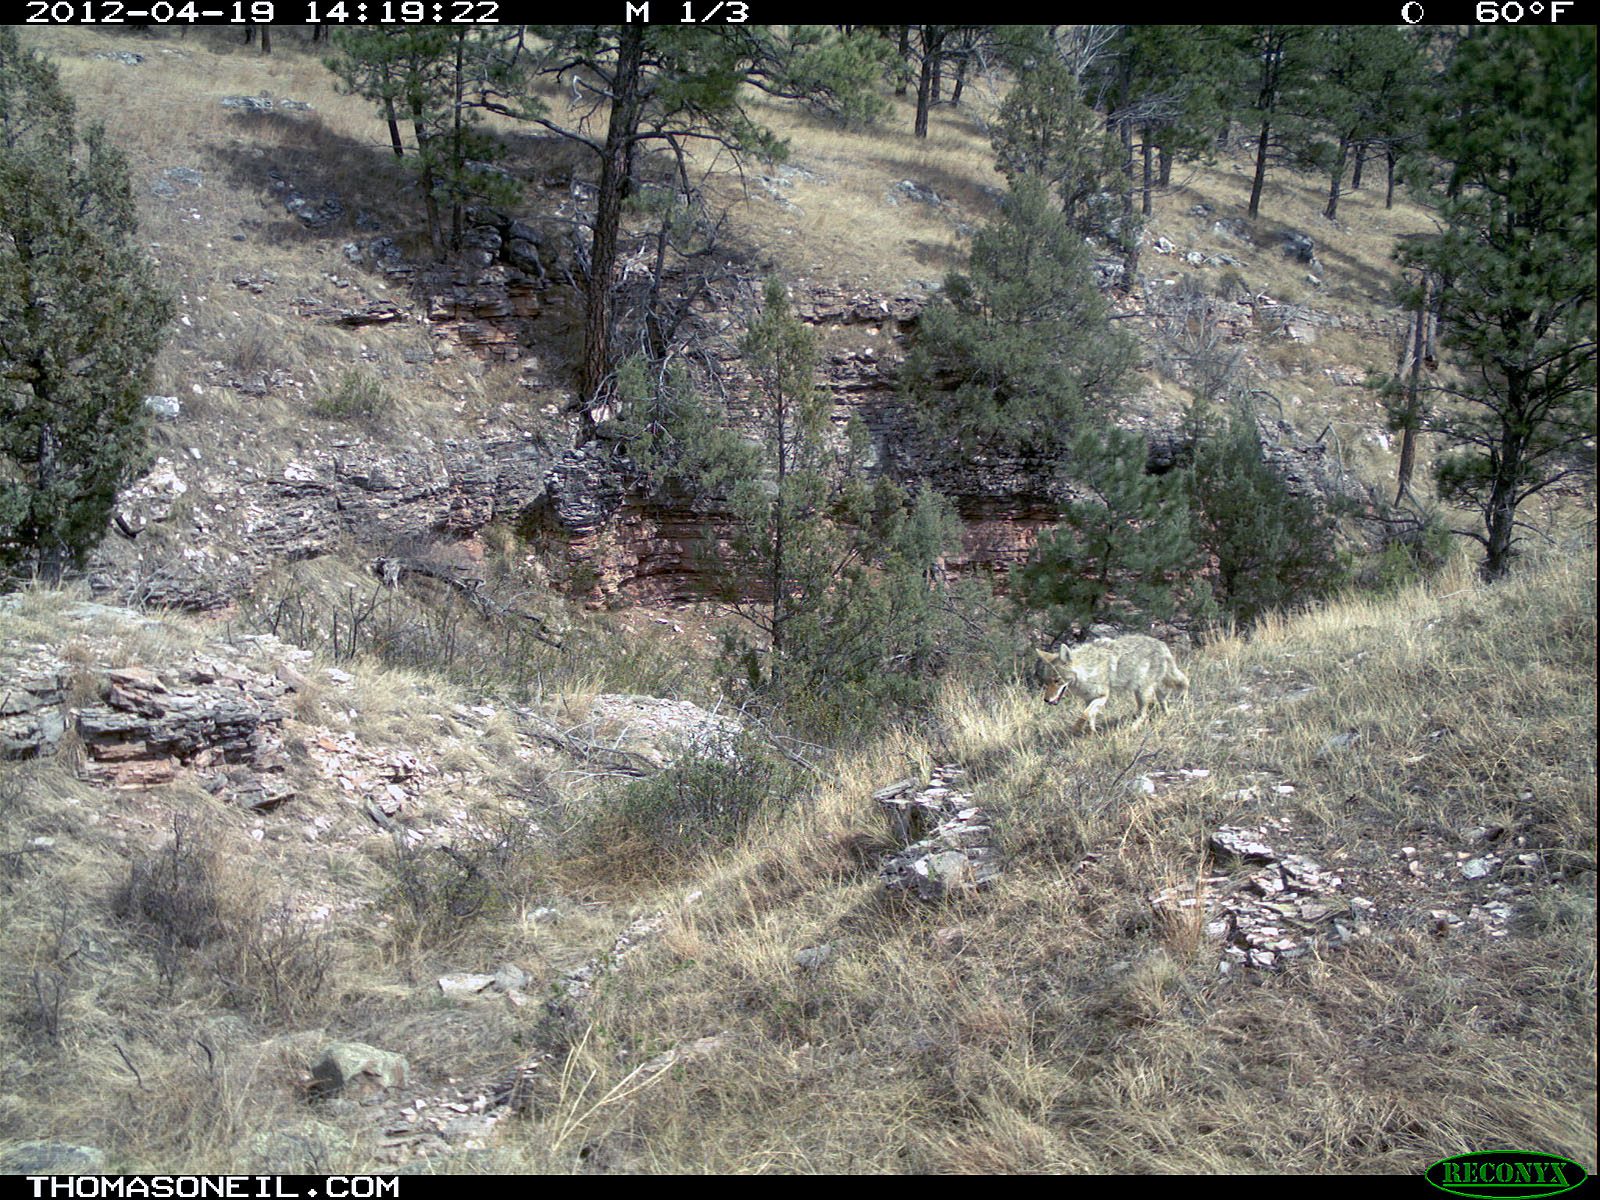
1057,1023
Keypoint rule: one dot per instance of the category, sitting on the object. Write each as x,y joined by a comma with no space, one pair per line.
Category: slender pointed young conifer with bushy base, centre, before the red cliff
834,572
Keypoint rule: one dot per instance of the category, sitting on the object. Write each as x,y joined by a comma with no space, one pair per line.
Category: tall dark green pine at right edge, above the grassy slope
1516,134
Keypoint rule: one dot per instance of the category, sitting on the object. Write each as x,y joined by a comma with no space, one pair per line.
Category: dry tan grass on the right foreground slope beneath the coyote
1066,1028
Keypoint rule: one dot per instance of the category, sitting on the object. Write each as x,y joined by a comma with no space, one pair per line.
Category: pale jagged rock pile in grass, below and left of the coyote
948,841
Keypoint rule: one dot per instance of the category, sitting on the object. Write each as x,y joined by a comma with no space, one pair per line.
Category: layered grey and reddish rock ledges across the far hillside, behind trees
196,535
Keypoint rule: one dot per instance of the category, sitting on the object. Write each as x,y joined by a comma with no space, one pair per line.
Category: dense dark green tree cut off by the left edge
81,321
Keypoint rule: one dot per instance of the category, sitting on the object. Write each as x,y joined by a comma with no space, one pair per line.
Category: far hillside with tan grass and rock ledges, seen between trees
398,409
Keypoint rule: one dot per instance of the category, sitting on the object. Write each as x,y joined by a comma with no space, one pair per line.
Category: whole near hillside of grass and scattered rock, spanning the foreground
1420,769
